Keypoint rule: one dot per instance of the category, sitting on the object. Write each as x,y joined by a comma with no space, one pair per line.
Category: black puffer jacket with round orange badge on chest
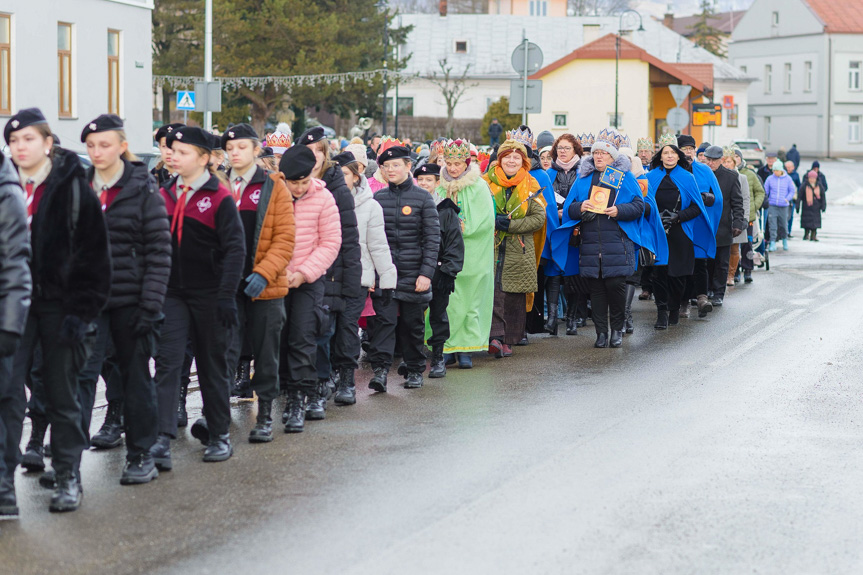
413,232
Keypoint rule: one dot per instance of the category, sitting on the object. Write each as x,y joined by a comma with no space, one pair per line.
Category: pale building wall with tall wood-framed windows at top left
77,59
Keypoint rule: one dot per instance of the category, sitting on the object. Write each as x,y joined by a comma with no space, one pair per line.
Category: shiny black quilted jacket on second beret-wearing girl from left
140,241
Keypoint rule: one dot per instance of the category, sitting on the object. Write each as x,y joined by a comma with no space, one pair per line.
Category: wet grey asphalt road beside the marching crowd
725,445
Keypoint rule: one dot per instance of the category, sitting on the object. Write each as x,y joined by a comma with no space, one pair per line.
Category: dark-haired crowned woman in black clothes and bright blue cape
687,223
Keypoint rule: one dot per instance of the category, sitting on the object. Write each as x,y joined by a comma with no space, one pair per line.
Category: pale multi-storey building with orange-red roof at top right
807,61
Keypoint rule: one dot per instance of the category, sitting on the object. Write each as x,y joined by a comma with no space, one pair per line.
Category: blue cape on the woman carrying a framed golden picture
565,255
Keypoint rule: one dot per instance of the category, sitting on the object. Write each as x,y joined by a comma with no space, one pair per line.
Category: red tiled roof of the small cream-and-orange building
699,76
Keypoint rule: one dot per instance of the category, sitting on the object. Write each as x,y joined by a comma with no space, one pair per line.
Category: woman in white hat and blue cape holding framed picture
607,254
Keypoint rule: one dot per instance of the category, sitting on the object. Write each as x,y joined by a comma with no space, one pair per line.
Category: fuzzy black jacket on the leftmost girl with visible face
71,259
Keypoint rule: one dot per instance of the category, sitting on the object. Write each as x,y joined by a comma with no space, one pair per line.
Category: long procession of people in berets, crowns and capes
276,264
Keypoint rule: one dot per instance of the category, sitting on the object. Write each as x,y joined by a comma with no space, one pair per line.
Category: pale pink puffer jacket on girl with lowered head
319,232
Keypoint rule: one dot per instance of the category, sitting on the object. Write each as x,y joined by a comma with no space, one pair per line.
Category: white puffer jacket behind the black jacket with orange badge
373,239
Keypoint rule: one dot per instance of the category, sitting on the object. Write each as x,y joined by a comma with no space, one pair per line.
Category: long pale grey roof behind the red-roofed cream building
492,38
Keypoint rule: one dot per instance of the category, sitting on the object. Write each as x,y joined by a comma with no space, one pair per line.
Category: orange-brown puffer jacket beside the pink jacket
275,242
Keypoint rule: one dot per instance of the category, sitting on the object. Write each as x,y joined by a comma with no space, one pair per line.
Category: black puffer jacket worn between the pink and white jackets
344,277
